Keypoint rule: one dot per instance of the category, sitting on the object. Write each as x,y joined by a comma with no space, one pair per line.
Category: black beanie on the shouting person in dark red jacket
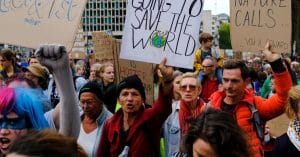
132,81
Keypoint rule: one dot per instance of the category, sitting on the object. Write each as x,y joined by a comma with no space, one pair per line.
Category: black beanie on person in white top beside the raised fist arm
92,87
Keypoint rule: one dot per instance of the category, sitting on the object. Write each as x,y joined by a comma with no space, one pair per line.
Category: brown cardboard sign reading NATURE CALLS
253,23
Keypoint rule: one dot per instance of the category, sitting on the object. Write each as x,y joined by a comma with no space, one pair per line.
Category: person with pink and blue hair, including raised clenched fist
21,109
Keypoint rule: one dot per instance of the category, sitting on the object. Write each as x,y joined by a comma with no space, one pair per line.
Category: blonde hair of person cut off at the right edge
292,107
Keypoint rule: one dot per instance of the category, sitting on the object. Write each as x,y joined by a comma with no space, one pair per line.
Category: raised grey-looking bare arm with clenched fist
55,58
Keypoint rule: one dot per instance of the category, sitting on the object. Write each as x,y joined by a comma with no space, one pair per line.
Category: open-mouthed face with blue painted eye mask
11,126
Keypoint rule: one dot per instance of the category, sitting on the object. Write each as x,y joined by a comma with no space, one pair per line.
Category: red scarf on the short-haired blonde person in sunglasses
186,116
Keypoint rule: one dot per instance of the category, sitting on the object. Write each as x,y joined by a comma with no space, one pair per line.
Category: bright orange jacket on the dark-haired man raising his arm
267,108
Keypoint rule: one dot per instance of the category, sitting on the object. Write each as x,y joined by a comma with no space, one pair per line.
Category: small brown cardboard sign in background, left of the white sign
103,46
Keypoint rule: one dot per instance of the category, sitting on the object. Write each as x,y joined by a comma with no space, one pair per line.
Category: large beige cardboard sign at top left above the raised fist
35,22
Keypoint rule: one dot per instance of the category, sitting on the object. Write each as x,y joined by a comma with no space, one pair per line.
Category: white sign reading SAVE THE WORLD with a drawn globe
157,29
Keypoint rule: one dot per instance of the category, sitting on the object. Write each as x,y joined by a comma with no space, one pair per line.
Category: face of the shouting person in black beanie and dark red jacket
130,100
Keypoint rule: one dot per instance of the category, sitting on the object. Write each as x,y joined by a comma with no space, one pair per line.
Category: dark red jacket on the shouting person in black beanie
144,135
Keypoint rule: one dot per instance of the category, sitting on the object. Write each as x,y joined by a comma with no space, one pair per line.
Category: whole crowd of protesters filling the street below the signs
220,108
